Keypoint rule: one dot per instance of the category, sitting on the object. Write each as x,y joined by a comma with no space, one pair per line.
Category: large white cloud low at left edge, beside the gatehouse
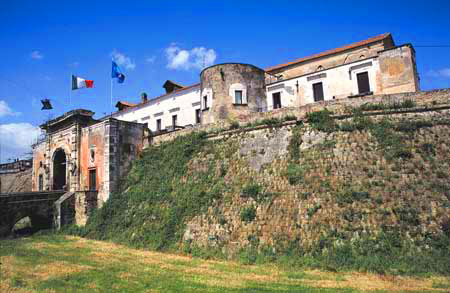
16,139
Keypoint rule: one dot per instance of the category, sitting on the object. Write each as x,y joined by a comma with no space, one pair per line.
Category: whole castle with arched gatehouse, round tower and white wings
89,156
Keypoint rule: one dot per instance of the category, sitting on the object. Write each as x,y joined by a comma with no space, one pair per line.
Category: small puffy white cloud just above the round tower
197,58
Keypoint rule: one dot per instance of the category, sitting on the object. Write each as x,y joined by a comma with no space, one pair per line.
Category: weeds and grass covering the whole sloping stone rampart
192,177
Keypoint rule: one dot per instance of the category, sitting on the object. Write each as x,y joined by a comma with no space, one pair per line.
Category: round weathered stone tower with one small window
231,92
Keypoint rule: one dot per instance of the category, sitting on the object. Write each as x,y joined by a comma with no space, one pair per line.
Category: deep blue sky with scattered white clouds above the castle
43,42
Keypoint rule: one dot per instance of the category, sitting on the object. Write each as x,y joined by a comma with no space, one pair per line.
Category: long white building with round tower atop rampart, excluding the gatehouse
369,67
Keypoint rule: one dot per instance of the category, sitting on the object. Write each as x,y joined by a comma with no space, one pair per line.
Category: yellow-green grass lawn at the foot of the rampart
57,263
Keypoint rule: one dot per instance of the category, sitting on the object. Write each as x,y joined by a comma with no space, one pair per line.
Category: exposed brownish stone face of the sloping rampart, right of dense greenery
295,185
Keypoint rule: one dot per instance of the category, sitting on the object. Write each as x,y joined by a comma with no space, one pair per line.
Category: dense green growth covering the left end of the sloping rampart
160,196
